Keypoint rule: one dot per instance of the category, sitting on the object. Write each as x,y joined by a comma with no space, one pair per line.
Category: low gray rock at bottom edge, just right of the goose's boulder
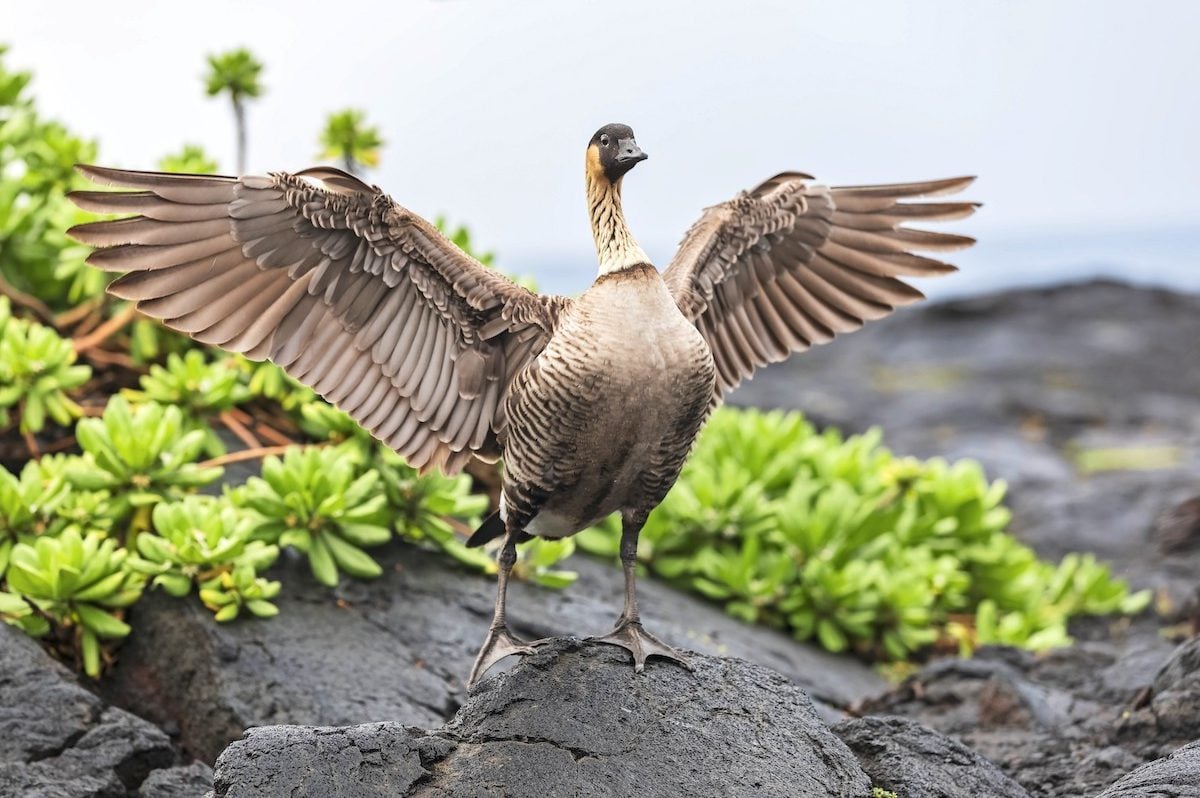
915,761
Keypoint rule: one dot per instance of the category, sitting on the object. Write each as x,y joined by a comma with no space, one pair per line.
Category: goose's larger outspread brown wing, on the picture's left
349,292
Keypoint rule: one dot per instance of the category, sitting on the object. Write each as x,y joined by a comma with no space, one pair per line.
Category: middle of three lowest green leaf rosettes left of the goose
207,542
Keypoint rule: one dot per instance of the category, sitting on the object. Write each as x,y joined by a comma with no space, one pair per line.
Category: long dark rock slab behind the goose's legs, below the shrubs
399,647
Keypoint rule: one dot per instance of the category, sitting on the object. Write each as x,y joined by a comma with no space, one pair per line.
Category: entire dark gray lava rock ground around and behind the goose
1059,392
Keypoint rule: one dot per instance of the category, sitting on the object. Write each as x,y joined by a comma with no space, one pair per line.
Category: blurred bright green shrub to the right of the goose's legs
837,539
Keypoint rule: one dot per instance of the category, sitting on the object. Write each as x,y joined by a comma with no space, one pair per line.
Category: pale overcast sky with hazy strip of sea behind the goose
1081,118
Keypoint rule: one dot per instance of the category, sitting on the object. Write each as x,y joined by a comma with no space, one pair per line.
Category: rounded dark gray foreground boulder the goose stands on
573,719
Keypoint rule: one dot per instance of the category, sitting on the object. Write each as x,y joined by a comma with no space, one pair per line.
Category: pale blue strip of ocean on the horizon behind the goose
1163,259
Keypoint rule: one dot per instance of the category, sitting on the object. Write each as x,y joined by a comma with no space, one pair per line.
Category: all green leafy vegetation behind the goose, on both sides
136,460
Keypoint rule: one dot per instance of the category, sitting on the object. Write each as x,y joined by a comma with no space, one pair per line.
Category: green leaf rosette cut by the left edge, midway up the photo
37,371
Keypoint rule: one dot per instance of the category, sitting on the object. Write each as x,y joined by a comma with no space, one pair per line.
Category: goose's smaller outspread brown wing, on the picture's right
791,265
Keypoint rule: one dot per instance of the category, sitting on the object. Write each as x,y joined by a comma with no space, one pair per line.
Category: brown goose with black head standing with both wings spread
593,403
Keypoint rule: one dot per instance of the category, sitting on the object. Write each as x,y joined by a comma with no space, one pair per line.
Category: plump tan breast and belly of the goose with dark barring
626,398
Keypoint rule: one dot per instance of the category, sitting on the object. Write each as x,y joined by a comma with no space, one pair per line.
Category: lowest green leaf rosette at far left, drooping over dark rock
76,583
